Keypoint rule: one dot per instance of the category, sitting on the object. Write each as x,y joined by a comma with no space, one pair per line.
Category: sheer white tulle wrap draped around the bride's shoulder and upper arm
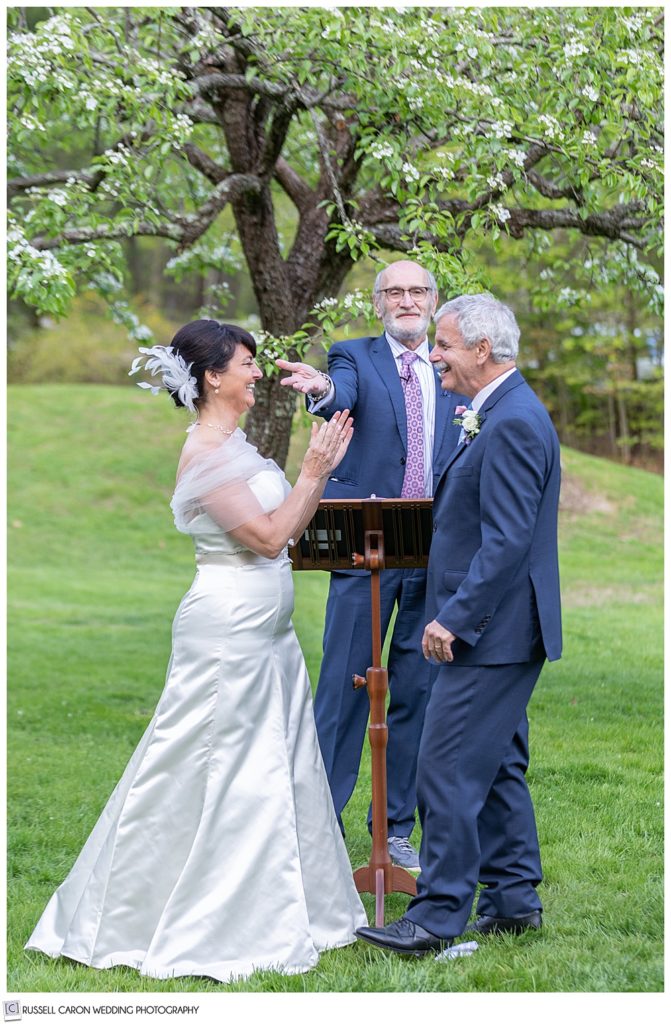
215,493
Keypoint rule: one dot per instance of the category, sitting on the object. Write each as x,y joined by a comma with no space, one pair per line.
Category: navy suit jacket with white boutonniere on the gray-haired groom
493,574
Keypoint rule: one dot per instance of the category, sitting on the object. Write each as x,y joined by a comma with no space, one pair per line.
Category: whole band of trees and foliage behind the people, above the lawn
261,165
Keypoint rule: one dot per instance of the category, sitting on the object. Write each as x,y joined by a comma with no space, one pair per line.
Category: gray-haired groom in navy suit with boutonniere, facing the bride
494,617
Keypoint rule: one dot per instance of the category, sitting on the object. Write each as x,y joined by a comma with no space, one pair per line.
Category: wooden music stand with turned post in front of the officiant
392,534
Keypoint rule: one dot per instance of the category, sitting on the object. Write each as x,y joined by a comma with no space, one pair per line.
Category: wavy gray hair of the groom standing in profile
484,317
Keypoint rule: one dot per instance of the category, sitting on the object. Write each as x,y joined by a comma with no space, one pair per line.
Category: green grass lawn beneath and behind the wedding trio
96,572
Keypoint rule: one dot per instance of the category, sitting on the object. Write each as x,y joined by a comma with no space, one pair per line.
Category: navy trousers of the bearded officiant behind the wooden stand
342,713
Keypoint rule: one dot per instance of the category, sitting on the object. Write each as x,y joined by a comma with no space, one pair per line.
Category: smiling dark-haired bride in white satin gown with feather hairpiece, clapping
219,854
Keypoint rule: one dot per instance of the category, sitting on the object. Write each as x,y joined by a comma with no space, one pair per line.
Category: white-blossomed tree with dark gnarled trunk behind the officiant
403,131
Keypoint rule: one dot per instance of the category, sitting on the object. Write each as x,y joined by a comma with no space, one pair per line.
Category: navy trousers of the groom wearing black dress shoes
475,806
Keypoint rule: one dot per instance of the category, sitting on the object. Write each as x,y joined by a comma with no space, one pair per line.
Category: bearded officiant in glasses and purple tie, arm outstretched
403,417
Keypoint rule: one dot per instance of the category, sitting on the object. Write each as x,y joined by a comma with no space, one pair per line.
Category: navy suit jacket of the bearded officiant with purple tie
366,378
